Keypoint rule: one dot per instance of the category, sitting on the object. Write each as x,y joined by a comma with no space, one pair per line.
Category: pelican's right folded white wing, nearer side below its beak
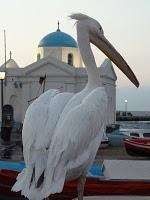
76,140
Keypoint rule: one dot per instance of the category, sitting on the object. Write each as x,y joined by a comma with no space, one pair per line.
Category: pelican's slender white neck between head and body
88,59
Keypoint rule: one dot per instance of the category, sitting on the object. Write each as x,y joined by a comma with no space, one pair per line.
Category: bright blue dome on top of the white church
58,39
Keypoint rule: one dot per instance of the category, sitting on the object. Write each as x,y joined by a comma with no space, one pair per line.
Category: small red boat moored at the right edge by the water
137,147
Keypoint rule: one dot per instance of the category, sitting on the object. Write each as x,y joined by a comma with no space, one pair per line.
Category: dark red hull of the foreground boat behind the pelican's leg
94,187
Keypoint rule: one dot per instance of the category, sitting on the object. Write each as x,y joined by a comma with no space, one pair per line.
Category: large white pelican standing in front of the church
62,131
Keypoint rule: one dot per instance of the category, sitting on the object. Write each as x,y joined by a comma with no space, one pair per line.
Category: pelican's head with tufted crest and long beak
96,37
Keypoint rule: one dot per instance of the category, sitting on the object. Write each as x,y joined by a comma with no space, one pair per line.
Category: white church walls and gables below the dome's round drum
58,76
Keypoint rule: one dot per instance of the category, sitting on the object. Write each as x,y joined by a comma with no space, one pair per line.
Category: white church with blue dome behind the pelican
57,64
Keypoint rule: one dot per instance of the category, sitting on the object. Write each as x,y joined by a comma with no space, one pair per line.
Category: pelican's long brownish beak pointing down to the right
106,47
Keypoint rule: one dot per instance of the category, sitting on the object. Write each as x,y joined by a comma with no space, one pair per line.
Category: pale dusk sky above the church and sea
126,24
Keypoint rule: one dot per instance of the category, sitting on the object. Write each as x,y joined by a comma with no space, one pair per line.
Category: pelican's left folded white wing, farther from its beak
38,129
